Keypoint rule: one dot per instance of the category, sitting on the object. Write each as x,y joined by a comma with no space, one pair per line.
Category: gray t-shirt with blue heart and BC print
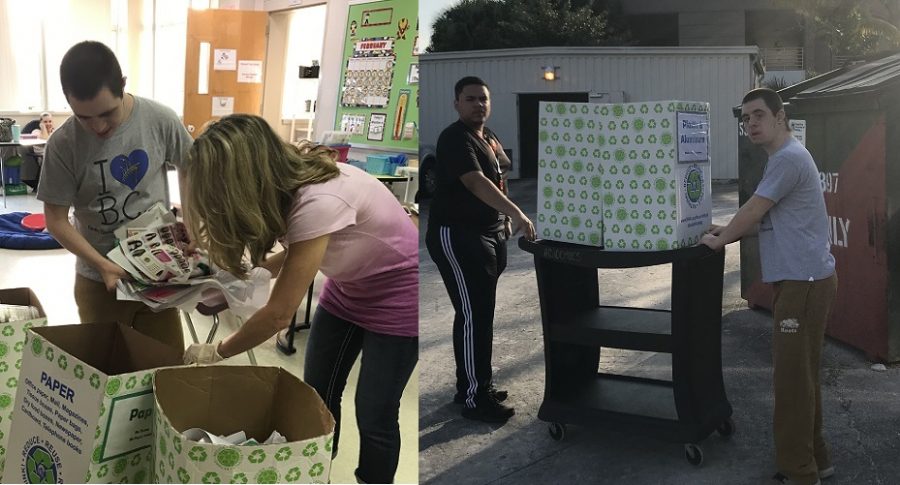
110,182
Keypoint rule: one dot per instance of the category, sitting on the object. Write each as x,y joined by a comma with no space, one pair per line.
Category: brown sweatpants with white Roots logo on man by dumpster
801,311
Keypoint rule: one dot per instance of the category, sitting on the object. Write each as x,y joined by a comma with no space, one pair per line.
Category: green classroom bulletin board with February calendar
379,94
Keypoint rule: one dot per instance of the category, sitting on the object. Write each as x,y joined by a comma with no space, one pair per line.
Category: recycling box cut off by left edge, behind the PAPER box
12,341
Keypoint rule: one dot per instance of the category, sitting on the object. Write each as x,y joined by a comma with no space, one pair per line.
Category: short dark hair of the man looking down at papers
87,67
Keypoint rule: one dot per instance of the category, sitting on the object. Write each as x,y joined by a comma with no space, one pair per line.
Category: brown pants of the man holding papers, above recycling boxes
96,304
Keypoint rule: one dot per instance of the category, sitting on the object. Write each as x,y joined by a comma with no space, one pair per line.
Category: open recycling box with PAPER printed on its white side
85,410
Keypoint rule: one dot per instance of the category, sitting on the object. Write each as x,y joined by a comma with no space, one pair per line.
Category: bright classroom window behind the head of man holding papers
148,38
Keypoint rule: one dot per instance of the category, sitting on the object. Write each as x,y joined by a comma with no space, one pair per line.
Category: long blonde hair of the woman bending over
242,183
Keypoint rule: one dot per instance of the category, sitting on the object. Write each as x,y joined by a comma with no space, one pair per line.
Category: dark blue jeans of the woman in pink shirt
387,363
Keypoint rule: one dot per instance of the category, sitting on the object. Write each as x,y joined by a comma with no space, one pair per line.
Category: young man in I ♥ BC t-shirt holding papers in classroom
108,161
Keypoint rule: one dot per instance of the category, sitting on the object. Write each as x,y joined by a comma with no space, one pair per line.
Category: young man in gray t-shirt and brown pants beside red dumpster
795,254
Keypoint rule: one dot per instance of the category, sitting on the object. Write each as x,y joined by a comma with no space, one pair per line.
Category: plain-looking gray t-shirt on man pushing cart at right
793,236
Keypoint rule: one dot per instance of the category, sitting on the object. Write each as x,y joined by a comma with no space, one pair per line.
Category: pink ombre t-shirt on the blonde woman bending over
372,261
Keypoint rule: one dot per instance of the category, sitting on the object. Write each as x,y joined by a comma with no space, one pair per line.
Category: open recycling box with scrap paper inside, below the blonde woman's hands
226,399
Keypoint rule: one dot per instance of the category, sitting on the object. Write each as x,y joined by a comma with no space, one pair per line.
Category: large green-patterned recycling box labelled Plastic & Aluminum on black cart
626,177
